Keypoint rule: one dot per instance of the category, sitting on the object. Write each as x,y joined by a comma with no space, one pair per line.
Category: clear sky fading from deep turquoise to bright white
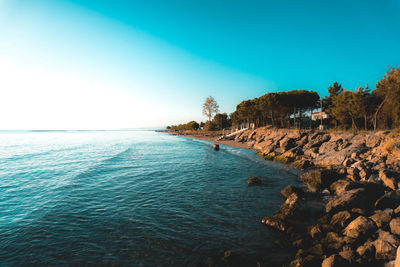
85,64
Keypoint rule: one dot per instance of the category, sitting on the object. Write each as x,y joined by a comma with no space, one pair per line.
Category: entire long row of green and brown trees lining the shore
360,109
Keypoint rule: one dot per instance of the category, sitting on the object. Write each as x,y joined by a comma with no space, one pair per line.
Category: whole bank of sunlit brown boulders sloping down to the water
348,211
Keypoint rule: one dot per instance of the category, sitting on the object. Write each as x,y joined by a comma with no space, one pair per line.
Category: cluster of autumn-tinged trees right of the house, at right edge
366,109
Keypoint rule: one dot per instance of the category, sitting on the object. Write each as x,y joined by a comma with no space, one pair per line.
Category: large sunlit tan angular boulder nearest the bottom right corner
385,246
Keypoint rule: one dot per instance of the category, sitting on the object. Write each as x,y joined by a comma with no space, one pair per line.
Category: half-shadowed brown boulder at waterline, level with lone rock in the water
317,180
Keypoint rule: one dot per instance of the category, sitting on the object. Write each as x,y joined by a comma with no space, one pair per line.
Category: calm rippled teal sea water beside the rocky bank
133,198
